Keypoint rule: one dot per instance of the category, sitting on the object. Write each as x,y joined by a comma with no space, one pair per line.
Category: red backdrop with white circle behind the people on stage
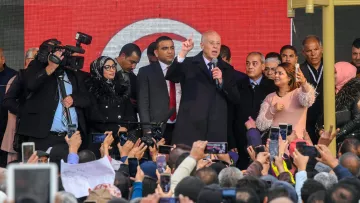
244,25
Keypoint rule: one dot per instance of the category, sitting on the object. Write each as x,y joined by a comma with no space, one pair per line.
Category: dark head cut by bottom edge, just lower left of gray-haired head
210,194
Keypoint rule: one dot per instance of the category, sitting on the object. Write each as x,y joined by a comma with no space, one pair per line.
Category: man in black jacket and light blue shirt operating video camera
43,119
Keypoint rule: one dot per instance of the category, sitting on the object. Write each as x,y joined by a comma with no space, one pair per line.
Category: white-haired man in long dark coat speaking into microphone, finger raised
205,87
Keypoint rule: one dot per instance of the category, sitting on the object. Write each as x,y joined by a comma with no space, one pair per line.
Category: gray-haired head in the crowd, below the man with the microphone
228,177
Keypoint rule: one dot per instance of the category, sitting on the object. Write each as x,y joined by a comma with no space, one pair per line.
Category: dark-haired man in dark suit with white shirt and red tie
155,94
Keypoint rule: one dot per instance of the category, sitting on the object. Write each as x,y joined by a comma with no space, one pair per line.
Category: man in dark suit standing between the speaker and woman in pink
253,90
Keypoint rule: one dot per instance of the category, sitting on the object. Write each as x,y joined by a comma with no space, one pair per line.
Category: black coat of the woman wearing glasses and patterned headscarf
108,109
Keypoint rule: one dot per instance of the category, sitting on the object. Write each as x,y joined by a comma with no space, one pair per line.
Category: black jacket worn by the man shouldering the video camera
37,114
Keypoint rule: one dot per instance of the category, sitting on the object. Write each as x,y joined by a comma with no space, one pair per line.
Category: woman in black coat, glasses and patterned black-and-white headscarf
110,102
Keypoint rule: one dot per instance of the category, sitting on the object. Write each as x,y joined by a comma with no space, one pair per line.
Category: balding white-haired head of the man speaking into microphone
210,44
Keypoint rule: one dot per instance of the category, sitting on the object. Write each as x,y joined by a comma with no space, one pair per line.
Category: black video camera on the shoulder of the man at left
49,47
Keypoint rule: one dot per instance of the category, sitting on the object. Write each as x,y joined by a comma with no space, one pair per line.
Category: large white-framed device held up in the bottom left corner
35,182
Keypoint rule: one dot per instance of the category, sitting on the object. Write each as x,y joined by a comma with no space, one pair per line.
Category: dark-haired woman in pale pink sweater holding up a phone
289,103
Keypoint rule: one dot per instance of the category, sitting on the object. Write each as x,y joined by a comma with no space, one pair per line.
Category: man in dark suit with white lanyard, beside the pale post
312,69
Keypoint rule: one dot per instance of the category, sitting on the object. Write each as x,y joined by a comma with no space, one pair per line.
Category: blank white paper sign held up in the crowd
78,178
